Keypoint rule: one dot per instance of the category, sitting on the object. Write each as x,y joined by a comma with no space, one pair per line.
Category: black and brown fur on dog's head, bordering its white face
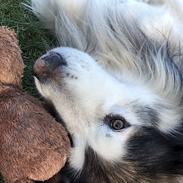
150,156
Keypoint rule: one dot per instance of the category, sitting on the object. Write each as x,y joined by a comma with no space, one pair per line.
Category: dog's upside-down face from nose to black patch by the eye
116,118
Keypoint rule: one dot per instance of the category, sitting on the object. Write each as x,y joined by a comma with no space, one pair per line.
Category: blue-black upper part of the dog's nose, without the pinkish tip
54,60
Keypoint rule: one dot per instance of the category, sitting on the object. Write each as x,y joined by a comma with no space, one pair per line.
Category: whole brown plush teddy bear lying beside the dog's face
33,146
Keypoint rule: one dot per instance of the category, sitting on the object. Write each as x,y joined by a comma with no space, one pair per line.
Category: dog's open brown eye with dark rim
116,122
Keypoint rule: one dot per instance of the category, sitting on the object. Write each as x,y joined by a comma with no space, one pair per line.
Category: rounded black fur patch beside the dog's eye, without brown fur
155,153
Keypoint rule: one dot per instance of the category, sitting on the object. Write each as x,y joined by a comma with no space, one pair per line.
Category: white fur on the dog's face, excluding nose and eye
92,95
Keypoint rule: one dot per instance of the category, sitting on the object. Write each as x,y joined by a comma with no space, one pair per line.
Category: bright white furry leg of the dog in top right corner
158,22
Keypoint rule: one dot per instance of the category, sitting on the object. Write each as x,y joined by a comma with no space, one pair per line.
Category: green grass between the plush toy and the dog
34,40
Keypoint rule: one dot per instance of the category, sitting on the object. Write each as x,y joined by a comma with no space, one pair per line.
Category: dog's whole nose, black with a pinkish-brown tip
45,65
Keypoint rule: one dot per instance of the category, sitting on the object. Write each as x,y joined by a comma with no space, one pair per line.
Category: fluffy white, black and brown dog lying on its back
117,82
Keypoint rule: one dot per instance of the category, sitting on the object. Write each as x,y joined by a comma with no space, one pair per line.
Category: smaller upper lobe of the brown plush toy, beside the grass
11,63
